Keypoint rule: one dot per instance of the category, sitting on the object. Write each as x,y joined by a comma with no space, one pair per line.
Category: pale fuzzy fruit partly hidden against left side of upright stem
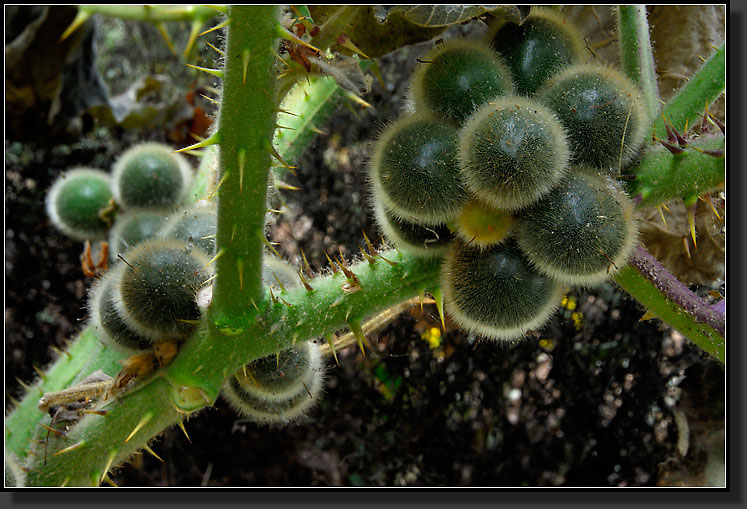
195,226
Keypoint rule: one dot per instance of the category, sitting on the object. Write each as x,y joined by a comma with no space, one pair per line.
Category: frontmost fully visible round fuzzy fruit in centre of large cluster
512,151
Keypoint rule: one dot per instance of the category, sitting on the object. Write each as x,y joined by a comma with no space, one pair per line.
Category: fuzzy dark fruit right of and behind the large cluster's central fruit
602,112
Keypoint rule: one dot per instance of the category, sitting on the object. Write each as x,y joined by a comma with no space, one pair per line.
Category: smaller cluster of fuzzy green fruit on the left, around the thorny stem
160,254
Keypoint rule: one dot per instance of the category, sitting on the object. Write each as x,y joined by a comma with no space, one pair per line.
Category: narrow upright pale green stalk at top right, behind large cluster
637,57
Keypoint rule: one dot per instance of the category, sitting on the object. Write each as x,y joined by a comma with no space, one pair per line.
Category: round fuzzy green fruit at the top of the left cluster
151,175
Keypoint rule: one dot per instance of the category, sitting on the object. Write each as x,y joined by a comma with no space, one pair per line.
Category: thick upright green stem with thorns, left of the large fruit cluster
247,124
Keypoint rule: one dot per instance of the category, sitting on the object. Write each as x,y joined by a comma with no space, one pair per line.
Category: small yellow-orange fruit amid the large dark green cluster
481,226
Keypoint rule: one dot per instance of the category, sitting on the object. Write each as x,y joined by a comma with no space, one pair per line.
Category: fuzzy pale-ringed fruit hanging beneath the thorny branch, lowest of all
279,388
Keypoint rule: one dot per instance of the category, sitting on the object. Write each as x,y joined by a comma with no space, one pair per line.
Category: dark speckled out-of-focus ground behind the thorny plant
596,398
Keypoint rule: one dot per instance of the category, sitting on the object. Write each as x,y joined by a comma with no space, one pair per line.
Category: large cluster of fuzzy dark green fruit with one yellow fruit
504,167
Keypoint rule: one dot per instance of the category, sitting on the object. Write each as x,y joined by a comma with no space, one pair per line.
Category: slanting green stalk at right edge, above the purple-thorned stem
687,107
